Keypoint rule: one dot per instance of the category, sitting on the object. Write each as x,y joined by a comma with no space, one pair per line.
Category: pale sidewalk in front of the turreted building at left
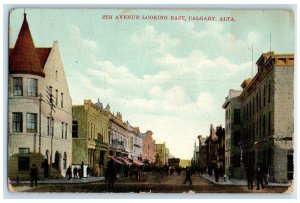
63,181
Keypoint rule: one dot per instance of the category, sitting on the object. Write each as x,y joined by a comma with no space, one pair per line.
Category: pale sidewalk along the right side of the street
233,181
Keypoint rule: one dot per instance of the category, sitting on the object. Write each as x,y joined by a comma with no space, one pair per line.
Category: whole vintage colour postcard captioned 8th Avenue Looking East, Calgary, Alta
150,101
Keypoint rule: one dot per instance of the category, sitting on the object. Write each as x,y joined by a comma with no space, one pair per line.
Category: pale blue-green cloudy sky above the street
167,76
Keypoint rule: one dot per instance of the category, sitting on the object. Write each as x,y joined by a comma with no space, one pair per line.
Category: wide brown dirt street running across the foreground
151,183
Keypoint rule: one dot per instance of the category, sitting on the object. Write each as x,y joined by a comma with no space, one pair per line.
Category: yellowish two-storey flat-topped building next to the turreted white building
90,135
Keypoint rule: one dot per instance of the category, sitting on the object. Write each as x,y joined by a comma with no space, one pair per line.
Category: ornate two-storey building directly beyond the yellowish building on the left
118,136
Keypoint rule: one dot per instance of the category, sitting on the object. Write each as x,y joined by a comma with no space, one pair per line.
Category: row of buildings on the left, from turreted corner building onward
46,130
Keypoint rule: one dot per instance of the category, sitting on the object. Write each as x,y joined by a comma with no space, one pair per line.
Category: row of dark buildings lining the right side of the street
259,123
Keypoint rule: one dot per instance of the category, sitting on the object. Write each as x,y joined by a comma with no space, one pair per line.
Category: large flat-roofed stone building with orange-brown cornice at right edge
267,115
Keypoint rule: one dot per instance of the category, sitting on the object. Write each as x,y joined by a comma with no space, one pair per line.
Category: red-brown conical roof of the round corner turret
24,58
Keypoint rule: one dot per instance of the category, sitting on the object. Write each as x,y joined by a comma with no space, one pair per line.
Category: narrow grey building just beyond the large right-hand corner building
233,152
